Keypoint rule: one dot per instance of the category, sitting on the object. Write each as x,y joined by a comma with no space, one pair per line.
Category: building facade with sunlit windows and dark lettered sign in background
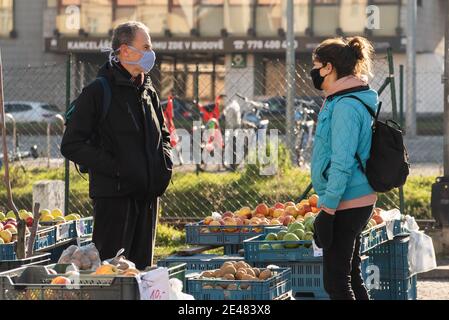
208,47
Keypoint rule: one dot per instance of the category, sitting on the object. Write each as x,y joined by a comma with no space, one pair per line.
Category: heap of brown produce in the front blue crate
235,272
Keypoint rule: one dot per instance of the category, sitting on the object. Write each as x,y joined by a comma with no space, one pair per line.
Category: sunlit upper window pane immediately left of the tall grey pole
269,15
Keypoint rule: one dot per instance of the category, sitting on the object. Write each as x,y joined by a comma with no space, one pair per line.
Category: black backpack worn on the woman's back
388,165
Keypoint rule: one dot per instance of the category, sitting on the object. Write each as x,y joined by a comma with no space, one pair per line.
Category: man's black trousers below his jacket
126,223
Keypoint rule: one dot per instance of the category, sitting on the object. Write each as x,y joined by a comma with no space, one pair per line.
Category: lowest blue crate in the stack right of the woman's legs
391,289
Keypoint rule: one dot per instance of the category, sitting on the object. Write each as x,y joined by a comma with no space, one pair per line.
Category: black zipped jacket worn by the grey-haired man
128,153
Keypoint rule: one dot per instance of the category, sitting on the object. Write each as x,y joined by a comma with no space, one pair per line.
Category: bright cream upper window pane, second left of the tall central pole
237,16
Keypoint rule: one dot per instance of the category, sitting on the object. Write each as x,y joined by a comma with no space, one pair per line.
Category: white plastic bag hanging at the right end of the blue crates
421,254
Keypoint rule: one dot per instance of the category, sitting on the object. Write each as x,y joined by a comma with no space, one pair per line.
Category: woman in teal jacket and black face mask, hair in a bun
343,134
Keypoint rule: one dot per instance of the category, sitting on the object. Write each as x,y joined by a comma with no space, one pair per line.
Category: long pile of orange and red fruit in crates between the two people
280,214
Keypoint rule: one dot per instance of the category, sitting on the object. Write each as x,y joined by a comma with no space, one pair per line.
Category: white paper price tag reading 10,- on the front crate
154,285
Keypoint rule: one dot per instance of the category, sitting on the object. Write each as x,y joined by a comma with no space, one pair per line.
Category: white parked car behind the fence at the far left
31,111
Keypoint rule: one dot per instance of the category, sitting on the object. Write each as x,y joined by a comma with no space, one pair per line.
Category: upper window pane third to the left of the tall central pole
211,17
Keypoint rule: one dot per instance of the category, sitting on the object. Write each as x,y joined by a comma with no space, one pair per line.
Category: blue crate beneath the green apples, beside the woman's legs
307,278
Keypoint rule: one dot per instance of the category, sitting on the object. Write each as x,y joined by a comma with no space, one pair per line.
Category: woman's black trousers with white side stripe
342,274
